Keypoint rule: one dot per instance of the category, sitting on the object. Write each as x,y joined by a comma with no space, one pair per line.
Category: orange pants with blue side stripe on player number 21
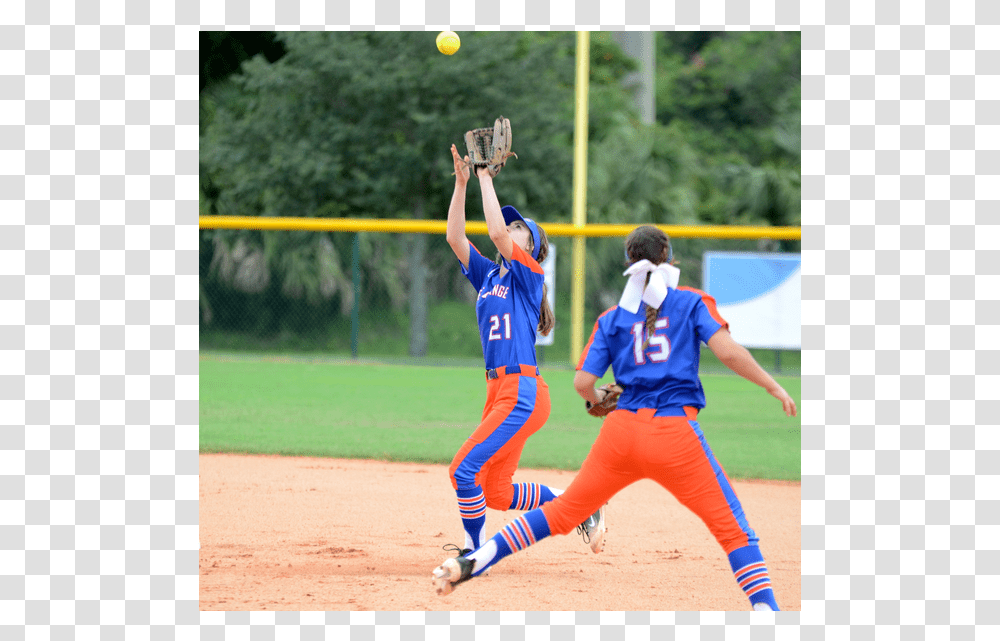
517,405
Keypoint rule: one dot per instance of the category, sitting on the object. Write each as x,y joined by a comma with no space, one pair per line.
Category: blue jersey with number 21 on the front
507,307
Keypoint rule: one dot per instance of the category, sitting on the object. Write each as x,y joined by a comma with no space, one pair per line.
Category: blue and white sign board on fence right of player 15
760,295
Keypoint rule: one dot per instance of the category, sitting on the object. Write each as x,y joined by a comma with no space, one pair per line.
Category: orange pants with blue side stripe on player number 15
672,451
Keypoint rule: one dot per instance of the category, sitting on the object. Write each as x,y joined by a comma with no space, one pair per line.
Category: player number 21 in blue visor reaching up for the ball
510,309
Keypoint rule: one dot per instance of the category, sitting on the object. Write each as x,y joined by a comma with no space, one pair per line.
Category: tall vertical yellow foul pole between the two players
580,192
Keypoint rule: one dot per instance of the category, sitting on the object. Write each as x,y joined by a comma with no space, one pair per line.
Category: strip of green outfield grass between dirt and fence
299,406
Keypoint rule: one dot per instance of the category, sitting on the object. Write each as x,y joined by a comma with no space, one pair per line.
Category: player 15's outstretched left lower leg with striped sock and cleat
525,530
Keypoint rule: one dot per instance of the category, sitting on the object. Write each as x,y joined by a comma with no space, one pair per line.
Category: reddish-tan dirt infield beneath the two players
286,533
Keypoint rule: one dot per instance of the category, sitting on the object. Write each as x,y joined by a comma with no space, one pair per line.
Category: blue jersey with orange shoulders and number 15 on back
665,374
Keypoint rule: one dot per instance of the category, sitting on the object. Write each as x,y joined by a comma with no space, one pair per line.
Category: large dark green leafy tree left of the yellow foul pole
358,124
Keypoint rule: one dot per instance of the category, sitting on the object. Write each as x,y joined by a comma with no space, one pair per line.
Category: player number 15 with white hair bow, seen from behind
653,433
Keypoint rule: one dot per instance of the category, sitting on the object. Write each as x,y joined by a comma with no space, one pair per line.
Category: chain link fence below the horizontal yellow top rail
386,296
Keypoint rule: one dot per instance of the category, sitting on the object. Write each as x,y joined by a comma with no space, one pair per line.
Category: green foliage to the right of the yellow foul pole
724,149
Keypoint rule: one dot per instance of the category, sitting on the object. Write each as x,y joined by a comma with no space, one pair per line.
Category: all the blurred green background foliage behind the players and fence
358,124
